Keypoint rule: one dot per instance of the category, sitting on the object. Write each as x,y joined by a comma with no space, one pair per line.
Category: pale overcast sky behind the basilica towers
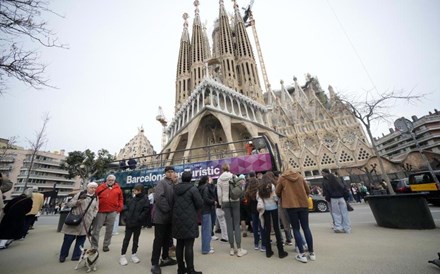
121,62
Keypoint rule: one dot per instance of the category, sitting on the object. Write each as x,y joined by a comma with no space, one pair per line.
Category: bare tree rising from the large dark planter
374,109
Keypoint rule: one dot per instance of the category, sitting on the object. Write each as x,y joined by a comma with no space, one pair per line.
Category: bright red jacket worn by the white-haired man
110,198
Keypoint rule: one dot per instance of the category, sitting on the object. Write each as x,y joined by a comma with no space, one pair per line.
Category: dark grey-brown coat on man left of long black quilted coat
163,201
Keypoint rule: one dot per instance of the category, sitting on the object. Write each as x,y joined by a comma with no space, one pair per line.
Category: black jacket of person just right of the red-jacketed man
137,211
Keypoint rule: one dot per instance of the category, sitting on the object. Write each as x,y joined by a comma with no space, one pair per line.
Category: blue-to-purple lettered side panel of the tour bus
239,165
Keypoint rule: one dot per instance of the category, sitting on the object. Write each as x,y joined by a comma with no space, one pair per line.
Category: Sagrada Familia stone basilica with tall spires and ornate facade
219,99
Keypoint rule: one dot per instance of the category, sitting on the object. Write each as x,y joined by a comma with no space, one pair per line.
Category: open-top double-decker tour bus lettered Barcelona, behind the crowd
242,157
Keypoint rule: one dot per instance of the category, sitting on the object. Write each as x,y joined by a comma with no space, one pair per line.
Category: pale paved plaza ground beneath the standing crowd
368,249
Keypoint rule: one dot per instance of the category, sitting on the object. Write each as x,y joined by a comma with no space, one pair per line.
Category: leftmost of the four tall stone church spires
183,74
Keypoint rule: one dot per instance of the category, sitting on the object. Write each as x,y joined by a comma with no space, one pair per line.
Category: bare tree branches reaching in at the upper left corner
21,21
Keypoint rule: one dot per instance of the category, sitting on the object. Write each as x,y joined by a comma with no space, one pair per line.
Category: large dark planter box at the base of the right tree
408,211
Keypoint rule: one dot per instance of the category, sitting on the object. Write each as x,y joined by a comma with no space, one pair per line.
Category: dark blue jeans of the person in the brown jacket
299,217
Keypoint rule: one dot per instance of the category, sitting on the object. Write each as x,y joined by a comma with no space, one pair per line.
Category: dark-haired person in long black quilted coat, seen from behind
185,227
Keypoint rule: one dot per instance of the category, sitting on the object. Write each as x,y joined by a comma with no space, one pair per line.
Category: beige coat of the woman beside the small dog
82,228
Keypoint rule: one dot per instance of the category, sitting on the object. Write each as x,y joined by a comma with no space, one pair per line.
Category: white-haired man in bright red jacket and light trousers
110,203
